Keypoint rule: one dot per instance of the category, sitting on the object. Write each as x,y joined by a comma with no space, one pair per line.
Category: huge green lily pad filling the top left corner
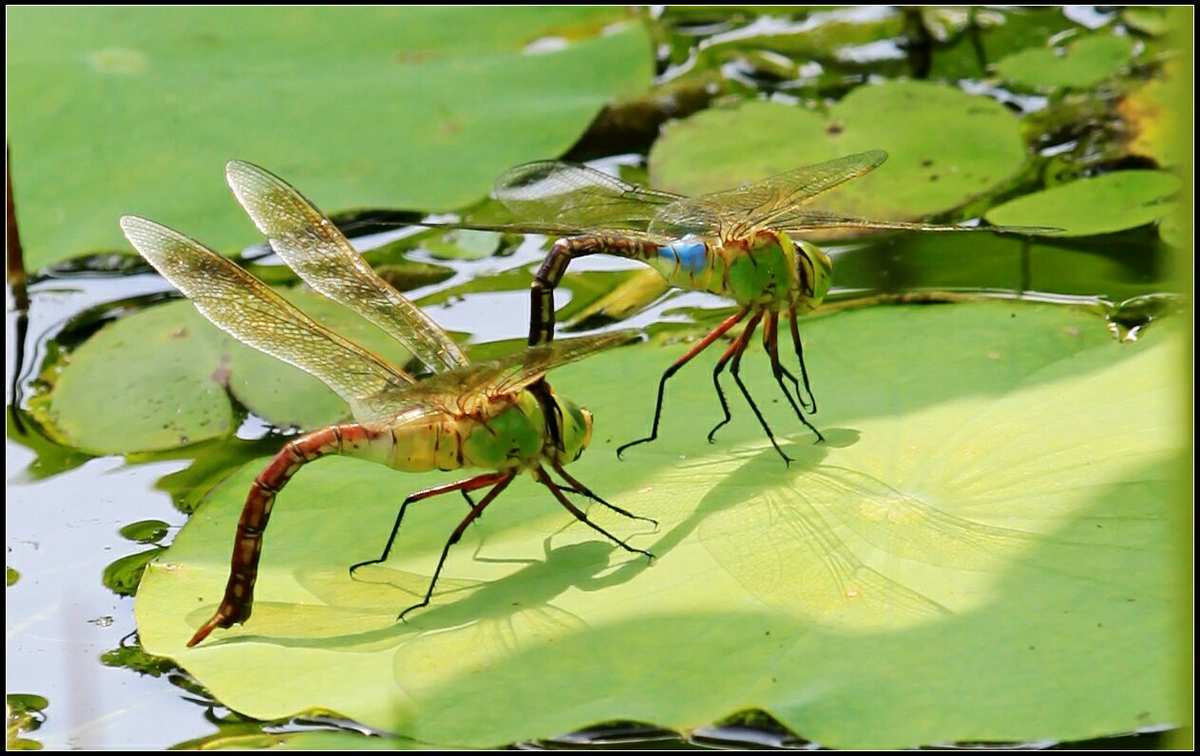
136,110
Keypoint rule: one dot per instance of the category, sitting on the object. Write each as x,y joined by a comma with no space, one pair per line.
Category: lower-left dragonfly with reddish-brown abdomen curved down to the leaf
501,417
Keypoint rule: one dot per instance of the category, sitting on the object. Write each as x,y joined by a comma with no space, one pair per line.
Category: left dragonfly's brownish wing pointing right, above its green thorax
513,373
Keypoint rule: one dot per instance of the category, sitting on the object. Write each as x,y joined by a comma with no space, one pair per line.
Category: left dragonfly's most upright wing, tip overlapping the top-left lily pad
314,248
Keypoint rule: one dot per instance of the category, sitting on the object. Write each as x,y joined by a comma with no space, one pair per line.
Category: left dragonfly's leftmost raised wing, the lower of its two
253,314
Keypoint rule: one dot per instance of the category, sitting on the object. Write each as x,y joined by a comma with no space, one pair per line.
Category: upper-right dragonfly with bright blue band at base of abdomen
743,244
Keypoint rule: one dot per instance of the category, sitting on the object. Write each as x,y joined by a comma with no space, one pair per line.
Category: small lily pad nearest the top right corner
1085,63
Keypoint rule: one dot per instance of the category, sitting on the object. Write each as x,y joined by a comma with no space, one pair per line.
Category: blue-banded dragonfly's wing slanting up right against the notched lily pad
739,213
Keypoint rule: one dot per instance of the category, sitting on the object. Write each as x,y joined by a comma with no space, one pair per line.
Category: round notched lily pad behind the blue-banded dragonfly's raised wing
946,148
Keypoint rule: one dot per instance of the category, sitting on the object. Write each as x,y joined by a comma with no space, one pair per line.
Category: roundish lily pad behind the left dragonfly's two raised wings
183,370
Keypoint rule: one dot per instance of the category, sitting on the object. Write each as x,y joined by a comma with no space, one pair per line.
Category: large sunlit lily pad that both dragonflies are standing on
981,551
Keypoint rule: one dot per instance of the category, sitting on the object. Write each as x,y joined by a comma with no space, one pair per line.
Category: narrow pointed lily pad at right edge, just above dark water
1103,205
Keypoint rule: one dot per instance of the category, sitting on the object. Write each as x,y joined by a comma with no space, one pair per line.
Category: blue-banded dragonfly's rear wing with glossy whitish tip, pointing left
574,200
